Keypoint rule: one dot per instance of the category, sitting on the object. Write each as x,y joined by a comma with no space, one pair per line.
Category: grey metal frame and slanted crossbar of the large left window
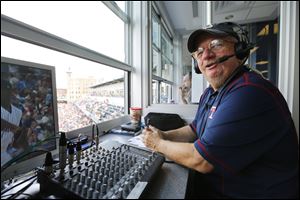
21,31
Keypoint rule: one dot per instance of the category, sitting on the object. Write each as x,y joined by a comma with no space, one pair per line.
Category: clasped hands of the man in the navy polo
152,137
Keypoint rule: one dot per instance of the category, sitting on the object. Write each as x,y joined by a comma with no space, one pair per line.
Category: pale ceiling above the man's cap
185,16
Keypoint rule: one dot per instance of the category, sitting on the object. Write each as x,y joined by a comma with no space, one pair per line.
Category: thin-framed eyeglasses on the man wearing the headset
214,46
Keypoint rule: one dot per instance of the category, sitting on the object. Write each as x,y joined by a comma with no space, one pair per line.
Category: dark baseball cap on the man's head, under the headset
221,29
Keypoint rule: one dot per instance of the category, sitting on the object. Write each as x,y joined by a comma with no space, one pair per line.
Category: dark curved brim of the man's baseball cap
194,37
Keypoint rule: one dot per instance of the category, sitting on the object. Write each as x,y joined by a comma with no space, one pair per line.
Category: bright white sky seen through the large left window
89,24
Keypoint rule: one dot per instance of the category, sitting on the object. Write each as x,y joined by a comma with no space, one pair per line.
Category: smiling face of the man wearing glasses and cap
214,48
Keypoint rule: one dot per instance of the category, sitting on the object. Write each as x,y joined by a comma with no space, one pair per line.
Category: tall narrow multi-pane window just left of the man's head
162,62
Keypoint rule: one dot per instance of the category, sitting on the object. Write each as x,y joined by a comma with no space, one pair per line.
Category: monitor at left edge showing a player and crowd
29,120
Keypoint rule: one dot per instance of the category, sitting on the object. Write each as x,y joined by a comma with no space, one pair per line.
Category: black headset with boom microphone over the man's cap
241,48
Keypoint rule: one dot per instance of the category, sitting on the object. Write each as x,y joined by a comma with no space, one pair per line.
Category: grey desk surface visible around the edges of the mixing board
169,183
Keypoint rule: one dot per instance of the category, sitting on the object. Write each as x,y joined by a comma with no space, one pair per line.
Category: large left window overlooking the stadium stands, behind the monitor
91,87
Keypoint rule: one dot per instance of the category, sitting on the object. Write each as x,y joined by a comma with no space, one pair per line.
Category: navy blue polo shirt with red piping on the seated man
246,132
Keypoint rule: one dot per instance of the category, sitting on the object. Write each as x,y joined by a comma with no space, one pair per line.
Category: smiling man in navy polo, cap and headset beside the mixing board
243,138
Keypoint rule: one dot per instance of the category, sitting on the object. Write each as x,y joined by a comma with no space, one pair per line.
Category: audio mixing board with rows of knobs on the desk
111,171
